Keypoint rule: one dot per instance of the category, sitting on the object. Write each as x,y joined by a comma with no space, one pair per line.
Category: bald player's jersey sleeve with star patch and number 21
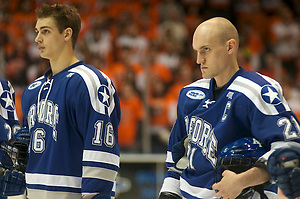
273,123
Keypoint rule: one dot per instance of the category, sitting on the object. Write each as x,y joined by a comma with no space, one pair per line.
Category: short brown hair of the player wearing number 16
64,15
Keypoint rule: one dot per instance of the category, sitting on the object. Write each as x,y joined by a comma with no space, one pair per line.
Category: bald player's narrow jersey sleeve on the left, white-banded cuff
171,181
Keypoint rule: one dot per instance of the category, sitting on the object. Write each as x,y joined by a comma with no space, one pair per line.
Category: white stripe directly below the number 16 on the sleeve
99,156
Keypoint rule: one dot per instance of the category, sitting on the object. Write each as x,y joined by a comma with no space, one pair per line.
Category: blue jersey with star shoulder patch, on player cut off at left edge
9,123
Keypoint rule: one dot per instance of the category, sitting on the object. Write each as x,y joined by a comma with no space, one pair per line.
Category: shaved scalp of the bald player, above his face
219,28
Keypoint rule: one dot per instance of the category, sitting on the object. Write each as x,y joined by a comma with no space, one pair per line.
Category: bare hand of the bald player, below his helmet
229,186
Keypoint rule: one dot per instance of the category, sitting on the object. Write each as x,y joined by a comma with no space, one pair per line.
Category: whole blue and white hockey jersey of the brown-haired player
73,120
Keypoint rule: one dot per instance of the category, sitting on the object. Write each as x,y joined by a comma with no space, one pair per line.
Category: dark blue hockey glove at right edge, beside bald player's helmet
284,169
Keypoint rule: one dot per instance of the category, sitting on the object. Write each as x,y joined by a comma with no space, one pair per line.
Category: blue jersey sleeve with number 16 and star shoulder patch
96,111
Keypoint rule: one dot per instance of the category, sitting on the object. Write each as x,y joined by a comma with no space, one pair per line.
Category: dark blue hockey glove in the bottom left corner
12,183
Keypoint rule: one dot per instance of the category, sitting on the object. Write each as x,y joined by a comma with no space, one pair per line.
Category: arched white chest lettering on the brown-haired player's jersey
46,112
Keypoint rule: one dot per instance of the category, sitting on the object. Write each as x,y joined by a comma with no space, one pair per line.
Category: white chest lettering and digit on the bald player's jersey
201,134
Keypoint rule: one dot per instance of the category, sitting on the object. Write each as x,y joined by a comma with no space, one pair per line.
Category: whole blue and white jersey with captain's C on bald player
250,105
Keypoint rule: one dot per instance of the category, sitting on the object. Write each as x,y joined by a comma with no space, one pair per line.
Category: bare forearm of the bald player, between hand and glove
253,176
